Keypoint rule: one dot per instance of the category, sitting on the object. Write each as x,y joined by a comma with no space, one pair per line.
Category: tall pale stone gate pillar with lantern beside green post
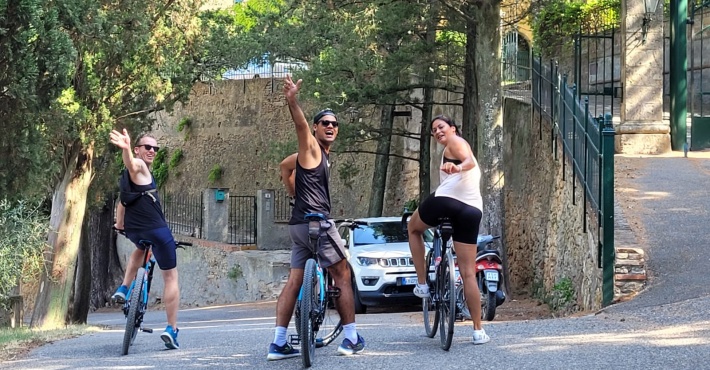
642,129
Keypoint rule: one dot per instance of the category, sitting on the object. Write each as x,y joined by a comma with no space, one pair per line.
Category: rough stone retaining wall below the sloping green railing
544,231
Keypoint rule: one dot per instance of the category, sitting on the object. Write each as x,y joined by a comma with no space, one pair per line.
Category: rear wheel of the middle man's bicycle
306,305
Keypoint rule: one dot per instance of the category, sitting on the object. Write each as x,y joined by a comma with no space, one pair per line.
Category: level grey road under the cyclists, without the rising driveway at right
236,337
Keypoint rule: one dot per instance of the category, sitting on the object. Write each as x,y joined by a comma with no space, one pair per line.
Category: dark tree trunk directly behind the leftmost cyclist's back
106,270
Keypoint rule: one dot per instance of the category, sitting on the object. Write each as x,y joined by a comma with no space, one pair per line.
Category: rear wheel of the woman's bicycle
447,306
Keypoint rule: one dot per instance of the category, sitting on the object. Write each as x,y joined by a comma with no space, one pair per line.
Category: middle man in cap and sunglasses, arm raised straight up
306,176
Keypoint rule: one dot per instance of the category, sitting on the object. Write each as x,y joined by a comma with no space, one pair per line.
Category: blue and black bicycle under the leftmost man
136,303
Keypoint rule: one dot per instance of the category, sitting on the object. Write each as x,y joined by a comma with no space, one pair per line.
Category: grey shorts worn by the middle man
332,249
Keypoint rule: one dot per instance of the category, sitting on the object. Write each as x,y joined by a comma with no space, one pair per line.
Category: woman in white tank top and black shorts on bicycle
458,198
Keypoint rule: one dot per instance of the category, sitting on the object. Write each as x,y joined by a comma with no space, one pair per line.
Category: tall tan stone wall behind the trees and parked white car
239,125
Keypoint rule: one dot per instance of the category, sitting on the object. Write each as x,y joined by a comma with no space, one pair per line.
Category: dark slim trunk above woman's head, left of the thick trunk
471,108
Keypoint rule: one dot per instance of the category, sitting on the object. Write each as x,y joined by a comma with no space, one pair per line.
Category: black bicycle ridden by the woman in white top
440,308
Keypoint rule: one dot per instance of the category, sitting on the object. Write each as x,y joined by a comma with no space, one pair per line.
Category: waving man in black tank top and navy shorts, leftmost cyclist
143,219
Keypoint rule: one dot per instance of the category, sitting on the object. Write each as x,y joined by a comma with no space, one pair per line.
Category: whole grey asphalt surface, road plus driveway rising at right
666,326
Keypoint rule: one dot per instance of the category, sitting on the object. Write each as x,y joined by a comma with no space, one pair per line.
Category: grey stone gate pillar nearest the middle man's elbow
269,234
